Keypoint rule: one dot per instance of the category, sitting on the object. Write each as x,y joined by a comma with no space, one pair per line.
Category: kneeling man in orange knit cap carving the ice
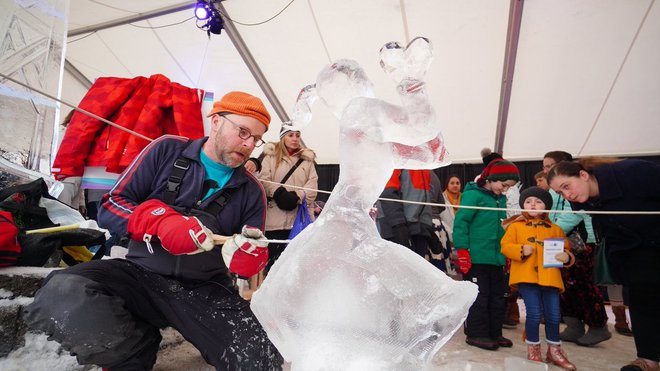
170,200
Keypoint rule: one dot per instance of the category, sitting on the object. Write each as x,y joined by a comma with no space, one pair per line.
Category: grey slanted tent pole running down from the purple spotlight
252,65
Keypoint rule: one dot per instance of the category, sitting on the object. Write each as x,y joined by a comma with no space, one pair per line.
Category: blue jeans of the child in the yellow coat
541,300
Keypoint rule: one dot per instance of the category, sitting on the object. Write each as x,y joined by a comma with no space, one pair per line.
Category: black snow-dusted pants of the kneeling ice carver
109,312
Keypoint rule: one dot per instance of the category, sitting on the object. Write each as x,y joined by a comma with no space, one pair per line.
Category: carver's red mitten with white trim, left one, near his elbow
177,233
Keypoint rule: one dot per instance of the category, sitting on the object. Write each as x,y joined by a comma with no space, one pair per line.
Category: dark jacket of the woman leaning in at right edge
628,185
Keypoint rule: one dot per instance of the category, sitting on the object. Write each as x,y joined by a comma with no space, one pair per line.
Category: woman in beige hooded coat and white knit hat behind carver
283,202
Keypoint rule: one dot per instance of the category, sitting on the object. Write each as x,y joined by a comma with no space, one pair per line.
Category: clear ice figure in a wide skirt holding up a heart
340,297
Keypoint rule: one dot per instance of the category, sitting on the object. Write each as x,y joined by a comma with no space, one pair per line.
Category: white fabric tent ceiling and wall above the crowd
586,76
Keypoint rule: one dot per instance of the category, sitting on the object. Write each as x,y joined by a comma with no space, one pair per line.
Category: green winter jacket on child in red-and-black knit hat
480,231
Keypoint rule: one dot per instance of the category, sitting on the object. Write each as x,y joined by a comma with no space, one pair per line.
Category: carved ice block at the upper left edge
33,35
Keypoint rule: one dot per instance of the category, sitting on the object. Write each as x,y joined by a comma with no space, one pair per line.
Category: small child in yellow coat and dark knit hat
538,285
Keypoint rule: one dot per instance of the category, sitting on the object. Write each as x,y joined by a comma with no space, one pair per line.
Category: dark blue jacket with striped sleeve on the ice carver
146,178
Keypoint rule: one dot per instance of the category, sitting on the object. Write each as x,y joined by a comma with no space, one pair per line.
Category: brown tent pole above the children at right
513,33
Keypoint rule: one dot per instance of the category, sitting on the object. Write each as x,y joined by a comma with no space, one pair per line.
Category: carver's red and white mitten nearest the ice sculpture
247,253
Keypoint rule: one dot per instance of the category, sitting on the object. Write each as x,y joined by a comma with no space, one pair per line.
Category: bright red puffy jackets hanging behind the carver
151,106
